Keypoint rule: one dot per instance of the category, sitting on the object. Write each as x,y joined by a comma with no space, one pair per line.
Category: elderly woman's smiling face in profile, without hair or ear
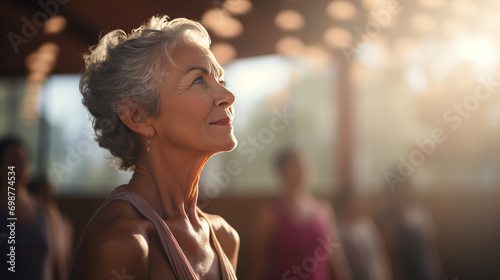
195,108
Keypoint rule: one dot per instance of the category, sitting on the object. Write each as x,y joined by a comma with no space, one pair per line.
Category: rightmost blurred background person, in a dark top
408,230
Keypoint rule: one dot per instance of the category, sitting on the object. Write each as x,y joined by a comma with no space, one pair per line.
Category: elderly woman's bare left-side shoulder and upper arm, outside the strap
114,244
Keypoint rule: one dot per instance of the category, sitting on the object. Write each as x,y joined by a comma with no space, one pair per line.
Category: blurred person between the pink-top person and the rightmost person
363,245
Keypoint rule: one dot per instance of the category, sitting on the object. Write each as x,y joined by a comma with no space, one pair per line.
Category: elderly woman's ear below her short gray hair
135,117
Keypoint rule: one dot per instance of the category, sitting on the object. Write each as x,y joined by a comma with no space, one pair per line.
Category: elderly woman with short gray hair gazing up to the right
159,105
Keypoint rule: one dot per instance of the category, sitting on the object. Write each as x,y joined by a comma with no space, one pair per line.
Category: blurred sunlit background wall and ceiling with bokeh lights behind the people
376,91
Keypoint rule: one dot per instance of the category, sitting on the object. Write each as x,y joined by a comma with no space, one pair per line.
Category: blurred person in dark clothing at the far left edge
34,255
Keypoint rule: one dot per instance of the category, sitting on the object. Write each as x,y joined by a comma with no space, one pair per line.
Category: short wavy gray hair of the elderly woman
131,66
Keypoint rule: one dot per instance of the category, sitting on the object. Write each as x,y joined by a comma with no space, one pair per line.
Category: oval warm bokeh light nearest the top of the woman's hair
222,24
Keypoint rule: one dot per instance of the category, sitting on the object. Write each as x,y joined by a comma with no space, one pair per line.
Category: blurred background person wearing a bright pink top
295,236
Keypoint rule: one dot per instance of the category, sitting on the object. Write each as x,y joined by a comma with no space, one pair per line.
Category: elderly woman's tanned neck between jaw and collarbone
169,181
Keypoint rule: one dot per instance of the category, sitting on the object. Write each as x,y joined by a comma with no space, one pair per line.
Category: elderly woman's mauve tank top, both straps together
180,265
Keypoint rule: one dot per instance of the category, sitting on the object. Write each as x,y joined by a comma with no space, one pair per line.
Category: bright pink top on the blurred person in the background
296,249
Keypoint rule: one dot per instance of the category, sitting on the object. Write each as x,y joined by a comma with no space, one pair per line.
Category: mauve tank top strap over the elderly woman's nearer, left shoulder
180,265
